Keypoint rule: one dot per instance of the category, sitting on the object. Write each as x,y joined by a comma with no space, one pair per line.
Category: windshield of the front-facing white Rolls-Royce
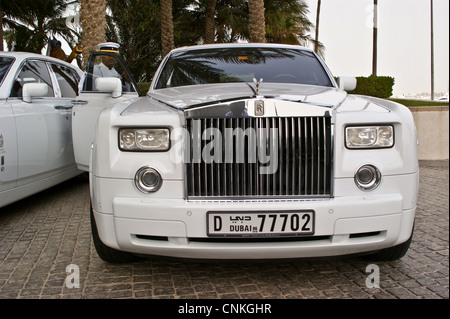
224,65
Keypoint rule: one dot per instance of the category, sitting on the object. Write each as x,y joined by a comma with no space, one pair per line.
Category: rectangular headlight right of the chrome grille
369,136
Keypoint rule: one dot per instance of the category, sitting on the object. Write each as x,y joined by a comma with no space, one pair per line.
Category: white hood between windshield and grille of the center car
186,96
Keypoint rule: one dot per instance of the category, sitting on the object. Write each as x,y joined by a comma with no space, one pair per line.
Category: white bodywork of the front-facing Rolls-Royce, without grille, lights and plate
168,223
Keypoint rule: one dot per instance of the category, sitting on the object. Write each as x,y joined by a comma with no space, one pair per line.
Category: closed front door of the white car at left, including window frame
42,126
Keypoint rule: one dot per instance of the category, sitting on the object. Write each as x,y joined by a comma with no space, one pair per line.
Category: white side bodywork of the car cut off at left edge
36,146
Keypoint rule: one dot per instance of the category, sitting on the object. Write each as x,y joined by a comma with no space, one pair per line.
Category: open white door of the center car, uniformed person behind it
85,114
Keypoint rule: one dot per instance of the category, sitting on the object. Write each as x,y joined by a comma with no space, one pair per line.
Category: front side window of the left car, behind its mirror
32,72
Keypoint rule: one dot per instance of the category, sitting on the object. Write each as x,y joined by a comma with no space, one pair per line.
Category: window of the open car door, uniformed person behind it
106,66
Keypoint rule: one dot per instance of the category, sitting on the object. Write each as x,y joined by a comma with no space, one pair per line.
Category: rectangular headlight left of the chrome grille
144,139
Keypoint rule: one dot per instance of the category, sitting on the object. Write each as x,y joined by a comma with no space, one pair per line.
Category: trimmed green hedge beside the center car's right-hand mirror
378,86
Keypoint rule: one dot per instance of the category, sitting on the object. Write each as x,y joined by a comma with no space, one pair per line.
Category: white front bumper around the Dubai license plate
178,228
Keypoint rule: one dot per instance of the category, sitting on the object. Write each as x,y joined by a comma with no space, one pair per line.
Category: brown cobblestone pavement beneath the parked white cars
44,234
